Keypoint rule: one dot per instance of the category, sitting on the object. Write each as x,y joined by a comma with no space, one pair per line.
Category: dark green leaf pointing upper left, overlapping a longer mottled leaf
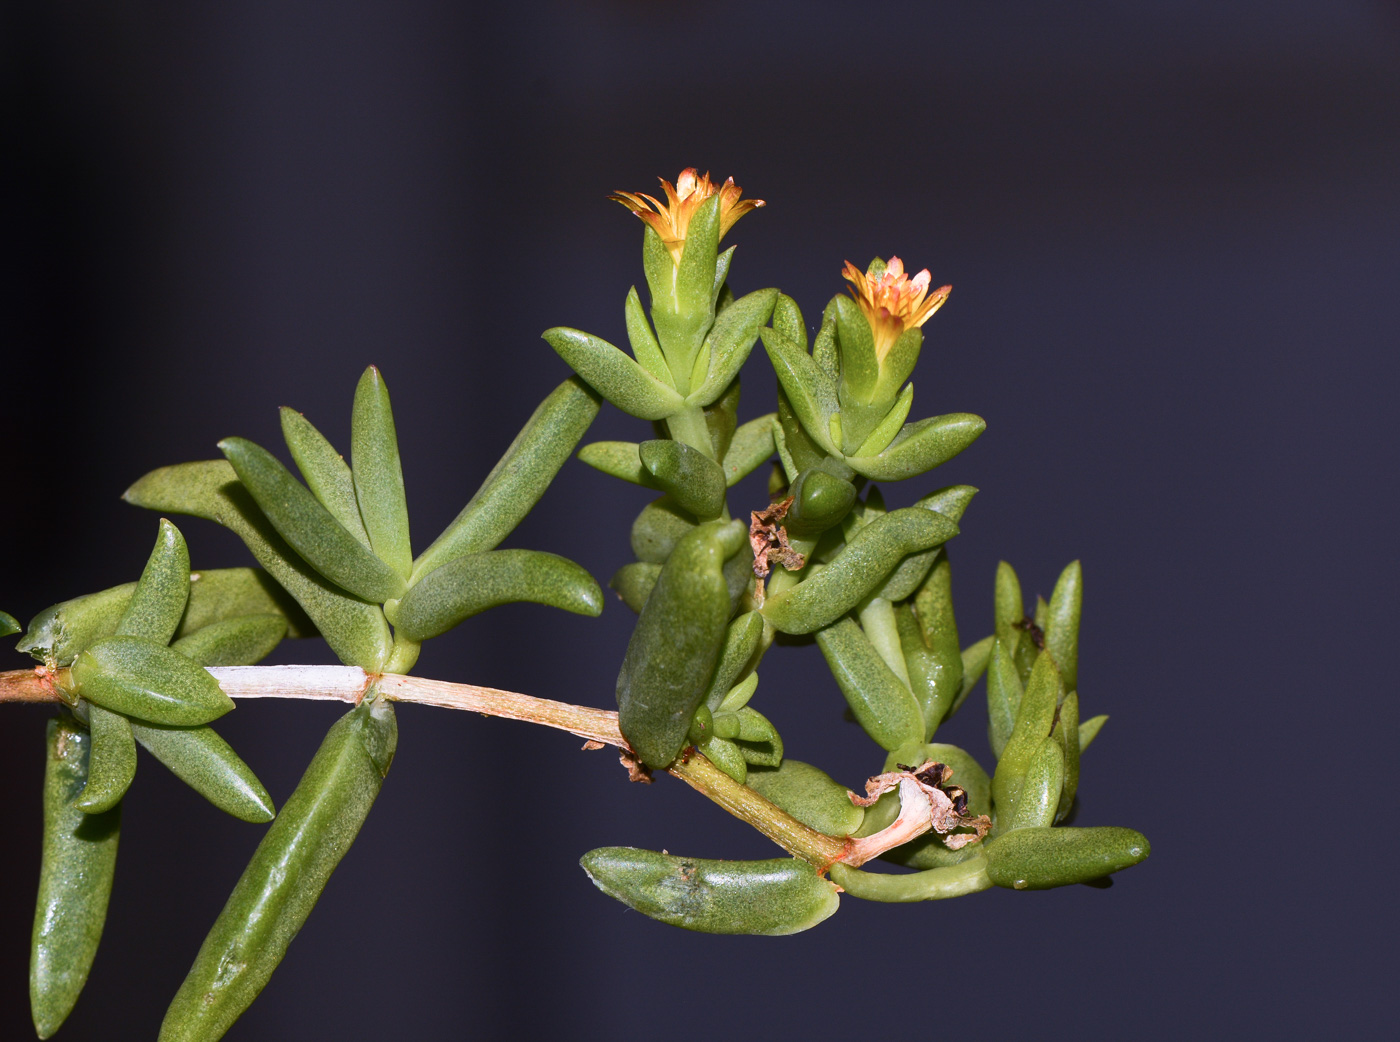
311,530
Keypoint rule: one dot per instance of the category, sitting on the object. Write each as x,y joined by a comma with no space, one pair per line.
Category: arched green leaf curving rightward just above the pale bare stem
471,585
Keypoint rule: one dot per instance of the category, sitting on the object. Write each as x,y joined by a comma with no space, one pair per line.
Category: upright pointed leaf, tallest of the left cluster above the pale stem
379,475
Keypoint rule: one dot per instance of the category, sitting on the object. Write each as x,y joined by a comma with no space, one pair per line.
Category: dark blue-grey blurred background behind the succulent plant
1174,235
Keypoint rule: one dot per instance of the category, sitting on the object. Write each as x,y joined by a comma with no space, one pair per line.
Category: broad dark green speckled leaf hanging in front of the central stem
677,644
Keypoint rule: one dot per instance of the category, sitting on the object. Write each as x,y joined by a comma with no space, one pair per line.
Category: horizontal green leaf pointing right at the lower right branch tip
1041,859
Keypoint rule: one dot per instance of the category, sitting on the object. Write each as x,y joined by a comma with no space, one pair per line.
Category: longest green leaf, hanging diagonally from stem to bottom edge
286,875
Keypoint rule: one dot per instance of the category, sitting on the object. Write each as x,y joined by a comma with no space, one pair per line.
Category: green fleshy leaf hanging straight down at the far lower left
75,882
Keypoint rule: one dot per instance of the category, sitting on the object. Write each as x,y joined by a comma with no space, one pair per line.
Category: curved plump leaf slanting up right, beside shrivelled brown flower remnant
859,569
